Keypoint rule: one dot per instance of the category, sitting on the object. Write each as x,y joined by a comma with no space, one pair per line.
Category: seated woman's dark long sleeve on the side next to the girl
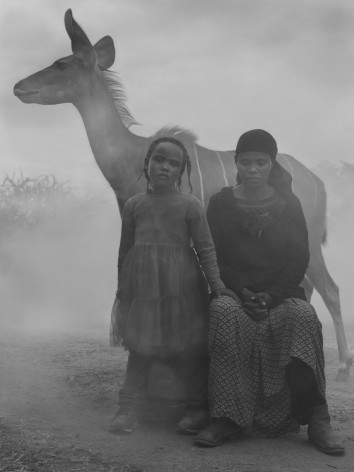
231,278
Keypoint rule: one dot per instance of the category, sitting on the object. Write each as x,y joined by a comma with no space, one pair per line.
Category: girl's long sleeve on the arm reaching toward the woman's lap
203,243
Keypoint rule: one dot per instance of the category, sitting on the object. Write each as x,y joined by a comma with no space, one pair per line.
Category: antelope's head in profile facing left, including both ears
67,79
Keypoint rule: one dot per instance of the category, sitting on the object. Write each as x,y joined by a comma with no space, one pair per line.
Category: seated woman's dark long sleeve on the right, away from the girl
297,254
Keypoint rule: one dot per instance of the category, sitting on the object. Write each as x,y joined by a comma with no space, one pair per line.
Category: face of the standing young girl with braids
164,166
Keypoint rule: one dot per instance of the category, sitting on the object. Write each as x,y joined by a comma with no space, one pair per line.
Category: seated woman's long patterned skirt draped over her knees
247,380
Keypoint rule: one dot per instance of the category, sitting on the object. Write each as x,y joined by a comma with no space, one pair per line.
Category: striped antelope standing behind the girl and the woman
84,79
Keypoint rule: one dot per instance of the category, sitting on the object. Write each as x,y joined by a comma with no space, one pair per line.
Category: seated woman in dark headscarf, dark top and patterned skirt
265,340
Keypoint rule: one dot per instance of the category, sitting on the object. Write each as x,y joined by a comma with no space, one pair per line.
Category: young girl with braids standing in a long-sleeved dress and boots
162,296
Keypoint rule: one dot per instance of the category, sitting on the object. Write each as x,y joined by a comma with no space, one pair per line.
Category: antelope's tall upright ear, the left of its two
80,44
